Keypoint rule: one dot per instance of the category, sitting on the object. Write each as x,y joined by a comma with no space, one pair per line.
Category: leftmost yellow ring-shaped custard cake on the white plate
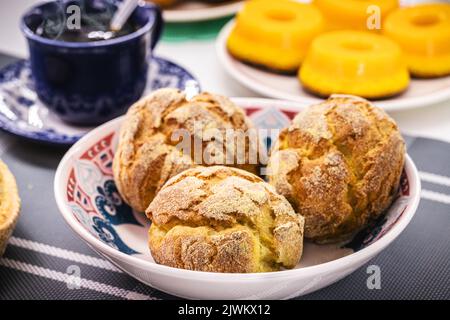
274,34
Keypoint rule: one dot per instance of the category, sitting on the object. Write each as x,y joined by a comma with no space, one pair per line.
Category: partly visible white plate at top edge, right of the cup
198,11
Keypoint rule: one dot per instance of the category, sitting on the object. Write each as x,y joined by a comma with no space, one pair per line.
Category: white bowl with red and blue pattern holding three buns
89,201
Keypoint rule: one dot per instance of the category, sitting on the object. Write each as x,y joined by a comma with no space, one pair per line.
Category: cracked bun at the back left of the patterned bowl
147,156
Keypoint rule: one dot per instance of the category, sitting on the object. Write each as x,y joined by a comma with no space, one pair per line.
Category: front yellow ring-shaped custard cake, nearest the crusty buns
354,62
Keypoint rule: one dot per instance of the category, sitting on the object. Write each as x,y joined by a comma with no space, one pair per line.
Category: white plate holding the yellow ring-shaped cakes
420,93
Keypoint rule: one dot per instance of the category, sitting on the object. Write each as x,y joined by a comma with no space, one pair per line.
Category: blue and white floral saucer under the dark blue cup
22,114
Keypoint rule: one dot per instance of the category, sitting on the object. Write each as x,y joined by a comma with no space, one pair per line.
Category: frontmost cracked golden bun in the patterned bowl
223,219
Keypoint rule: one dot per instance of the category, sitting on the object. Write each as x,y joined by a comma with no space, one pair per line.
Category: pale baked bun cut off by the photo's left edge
9,205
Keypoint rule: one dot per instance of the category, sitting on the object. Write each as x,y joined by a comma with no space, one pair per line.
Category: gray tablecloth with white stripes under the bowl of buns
43,248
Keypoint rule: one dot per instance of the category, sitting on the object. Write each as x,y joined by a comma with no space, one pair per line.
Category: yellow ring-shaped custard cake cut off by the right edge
423,32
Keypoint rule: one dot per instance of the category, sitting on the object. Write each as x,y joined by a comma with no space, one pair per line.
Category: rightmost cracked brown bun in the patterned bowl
339,165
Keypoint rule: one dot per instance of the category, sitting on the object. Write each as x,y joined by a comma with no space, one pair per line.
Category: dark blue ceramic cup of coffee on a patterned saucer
87,83
